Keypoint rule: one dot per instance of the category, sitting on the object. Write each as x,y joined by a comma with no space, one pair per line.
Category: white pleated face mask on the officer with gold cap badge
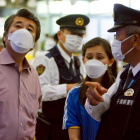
72,42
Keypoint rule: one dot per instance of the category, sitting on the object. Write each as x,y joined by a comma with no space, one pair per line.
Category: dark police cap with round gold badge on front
75,23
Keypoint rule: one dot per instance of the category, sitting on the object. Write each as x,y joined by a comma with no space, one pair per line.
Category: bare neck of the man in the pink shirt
18,58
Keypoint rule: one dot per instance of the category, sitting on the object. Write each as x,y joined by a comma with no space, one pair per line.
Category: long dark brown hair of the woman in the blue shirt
108,78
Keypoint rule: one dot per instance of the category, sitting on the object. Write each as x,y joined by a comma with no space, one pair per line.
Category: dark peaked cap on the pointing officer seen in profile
124,16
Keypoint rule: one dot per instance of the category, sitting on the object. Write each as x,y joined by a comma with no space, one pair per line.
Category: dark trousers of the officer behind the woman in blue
46,130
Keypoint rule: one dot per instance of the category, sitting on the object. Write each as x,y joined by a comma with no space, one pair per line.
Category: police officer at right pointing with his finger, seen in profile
120,106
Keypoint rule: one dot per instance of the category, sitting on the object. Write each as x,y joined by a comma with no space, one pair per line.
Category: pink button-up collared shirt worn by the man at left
20,98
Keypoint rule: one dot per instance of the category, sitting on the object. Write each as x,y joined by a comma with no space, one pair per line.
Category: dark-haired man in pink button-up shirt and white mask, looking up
20,93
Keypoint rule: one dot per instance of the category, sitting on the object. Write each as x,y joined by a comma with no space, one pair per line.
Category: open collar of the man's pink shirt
5,58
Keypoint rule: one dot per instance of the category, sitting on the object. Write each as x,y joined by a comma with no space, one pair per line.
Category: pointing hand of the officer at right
94,92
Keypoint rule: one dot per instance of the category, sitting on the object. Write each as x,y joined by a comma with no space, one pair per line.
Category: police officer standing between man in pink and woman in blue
59,70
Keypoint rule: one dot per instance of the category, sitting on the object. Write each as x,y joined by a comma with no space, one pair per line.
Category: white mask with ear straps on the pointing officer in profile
116,49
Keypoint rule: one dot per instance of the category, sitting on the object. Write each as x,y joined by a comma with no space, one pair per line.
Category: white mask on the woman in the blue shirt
95,68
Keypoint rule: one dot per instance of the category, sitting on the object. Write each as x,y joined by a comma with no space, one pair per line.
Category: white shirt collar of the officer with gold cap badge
64,54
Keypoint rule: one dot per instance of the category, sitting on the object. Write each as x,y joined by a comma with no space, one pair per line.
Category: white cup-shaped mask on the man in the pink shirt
21,41
